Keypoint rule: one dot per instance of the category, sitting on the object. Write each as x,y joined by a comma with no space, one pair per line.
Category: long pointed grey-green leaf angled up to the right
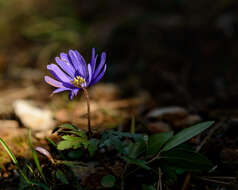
186,134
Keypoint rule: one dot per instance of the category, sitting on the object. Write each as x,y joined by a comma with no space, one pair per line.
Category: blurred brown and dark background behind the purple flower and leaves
160,53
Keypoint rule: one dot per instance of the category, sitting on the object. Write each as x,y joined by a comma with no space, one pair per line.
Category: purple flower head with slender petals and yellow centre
73,73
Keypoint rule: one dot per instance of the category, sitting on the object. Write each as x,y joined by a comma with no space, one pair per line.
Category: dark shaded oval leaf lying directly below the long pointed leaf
185,160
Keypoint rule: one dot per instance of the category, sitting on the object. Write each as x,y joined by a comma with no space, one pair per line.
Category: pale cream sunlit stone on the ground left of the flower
32,116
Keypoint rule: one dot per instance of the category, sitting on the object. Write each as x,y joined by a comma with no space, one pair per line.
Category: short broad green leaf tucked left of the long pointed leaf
156,141
